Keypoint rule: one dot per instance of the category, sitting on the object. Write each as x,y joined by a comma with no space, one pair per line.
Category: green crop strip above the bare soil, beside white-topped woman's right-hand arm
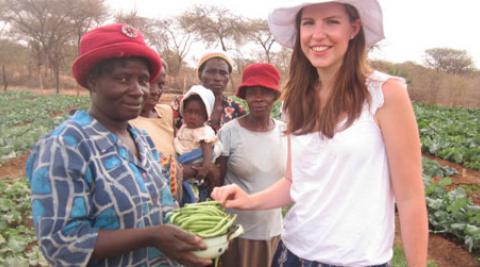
452,134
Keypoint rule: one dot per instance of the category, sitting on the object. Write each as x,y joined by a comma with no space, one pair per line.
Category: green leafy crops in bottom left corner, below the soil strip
18,246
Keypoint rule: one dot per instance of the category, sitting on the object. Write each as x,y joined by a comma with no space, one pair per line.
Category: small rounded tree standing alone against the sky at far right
449,60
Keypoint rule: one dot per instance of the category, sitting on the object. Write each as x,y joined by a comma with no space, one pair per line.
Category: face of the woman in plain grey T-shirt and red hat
260,100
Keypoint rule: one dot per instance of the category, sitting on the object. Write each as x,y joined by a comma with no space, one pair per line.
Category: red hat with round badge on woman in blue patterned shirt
112,41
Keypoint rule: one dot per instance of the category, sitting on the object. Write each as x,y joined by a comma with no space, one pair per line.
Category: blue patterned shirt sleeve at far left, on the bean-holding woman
61,203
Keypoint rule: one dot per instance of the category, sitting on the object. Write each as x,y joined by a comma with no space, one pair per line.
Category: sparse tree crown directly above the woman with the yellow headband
214,25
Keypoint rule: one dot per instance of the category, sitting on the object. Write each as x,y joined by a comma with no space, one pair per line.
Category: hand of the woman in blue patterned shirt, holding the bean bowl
178,245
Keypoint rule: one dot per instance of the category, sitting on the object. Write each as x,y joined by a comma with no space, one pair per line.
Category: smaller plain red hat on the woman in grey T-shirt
259,74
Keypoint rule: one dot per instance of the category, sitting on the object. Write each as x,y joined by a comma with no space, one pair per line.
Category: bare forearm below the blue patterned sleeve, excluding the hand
115,243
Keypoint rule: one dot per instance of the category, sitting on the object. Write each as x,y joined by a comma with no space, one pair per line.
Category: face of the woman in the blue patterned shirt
117,89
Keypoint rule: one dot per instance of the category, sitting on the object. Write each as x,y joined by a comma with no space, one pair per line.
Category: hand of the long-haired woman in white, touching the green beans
232,196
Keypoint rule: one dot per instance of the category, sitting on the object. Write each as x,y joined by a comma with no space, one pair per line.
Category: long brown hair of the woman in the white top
349,93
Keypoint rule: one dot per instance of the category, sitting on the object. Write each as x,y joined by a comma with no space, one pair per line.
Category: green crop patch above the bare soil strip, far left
27,116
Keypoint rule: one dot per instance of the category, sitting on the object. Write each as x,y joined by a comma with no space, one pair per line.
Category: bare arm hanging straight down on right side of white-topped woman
400,133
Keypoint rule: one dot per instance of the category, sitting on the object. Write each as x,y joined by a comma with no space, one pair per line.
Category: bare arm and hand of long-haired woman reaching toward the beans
275,196
